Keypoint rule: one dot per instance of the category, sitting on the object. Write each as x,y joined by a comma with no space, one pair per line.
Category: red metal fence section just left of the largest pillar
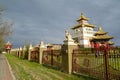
52,58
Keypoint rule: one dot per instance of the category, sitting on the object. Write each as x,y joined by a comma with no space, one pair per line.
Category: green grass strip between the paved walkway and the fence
26,70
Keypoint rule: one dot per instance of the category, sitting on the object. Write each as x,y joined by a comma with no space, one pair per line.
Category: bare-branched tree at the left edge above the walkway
5,29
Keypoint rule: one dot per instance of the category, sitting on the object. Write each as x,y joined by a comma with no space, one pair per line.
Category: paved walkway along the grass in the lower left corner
5,73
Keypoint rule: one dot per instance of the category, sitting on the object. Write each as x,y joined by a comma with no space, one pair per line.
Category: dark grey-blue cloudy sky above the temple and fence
47,20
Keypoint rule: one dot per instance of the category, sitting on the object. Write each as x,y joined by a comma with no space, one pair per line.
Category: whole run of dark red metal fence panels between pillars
105,65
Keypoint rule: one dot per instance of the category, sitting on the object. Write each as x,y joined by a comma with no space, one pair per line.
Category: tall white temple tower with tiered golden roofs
83,32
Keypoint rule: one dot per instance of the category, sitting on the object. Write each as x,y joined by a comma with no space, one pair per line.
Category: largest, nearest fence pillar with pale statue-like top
67,51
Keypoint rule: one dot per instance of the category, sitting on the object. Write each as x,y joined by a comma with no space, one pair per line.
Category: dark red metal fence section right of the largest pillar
105,66
